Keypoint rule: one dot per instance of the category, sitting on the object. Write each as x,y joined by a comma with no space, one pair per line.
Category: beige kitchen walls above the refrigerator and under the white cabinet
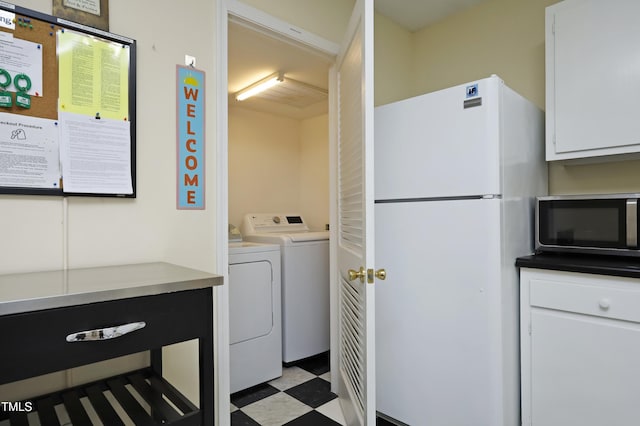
503,37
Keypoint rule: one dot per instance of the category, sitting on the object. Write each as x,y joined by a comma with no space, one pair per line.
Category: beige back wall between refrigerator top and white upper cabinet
503,37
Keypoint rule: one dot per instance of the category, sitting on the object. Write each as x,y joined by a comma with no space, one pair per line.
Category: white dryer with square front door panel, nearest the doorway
255,324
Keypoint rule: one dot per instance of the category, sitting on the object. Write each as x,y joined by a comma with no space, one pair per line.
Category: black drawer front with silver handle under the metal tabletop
34,343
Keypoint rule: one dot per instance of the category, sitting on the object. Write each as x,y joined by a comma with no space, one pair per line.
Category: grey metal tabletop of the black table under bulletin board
34,291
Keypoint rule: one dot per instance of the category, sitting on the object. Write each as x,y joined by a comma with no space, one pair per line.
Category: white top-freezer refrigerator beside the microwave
456,173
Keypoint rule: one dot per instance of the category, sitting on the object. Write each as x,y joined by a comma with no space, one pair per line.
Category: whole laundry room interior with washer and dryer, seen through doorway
278,163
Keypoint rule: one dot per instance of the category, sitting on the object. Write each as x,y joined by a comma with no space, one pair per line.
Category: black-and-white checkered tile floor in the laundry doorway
301,397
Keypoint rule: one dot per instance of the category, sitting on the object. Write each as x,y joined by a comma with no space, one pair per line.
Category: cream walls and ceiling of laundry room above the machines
278,147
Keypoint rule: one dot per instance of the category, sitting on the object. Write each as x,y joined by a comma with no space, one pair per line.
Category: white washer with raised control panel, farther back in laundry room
305,280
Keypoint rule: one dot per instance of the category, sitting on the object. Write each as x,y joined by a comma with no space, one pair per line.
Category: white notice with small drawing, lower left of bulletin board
29,152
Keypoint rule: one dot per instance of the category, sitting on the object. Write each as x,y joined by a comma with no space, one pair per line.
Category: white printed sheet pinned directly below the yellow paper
95,155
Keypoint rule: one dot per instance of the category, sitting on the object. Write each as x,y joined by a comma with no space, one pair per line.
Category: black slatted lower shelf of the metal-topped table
139,397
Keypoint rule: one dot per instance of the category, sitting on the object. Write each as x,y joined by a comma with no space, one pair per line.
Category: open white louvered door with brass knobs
354,79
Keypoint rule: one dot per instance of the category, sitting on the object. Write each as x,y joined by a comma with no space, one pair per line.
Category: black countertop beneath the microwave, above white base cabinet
620,266
